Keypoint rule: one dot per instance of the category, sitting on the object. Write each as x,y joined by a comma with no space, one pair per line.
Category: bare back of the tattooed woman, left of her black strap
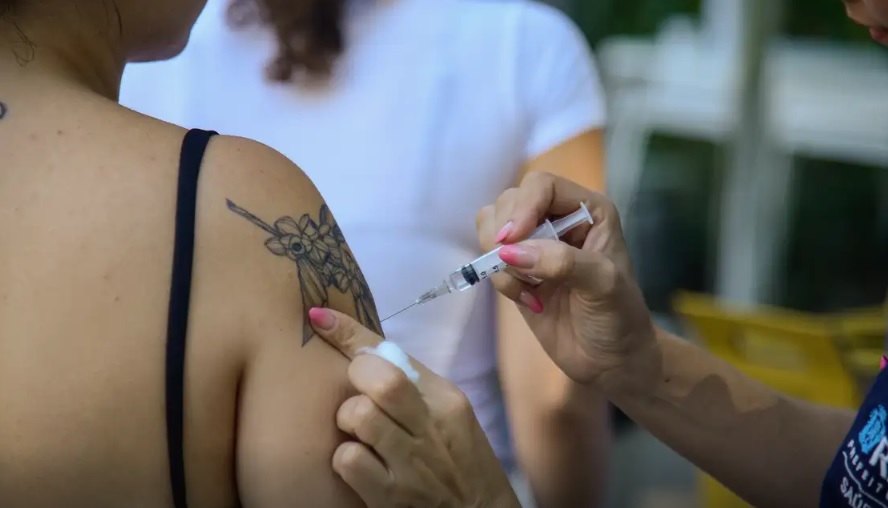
84,272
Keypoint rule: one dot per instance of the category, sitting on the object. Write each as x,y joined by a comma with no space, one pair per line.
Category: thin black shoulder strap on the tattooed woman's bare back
193,148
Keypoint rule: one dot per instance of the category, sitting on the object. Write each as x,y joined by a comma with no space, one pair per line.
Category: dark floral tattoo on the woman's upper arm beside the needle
323,262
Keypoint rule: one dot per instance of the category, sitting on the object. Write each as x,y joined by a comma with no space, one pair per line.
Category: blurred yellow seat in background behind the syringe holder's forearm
829,359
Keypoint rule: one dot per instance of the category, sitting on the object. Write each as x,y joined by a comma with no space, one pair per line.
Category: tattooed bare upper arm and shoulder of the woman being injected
290,256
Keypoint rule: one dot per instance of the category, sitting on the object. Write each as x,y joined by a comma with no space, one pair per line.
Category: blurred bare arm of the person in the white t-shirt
548,411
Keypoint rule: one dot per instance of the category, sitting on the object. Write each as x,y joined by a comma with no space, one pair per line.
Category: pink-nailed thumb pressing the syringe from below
555,261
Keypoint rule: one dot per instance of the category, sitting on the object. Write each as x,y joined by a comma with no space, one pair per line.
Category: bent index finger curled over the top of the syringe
542,195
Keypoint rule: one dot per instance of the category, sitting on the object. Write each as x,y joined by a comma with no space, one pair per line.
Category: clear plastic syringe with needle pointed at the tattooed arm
489,264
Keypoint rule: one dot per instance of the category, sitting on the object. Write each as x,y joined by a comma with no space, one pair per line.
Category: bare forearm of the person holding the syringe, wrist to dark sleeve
768,448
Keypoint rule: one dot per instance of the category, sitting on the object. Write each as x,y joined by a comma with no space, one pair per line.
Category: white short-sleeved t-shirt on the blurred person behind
434,108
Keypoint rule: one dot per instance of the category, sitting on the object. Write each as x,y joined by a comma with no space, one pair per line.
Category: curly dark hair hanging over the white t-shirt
309,34
